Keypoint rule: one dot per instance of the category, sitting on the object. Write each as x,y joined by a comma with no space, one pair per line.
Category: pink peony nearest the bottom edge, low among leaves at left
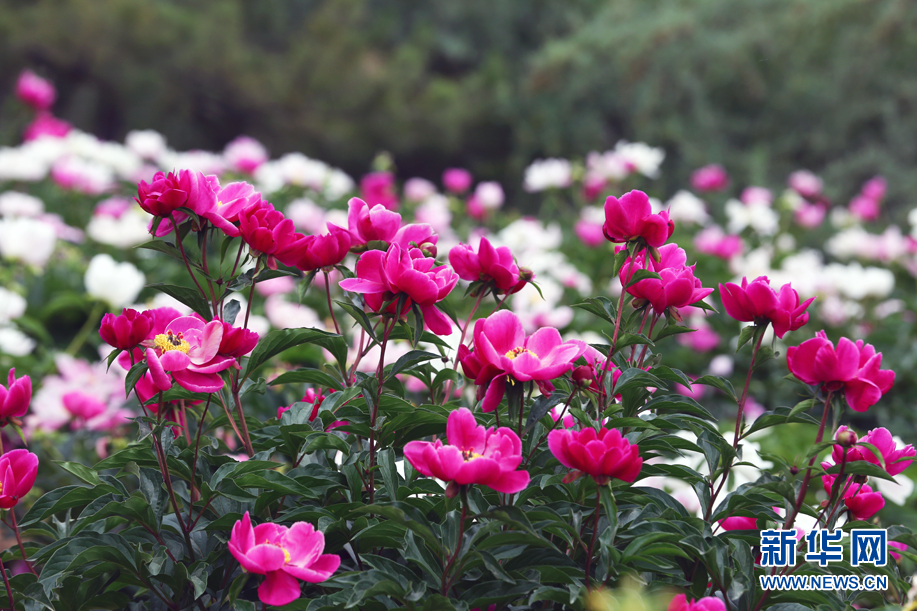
284,555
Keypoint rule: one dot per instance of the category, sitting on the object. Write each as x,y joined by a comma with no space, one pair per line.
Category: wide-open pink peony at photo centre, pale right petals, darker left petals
502,352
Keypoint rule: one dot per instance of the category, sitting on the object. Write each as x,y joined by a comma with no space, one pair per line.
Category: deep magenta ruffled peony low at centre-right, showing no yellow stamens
602,454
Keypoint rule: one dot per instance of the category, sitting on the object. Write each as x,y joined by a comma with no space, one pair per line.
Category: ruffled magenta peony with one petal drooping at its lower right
385,276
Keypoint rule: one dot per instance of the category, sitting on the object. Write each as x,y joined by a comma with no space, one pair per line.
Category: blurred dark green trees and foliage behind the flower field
762,87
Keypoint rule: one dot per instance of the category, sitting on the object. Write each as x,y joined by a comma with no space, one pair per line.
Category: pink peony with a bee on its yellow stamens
189,350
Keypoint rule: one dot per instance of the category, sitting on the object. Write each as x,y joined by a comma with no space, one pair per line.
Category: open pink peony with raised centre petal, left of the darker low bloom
474,455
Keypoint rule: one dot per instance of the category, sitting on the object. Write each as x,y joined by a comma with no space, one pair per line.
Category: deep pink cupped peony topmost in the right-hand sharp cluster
631,218
